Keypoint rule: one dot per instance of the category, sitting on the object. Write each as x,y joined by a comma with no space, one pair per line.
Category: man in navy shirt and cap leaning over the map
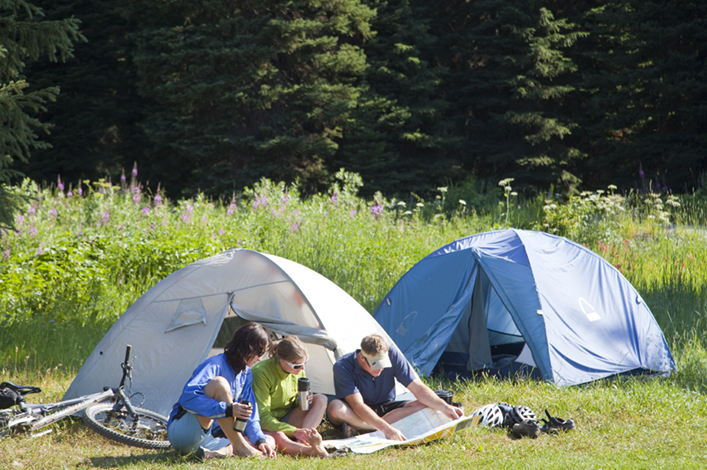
364,382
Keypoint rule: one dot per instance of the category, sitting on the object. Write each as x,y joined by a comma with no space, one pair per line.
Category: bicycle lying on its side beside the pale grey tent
110,413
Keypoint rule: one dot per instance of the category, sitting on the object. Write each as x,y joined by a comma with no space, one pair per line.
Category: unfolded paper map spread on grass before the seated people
423,426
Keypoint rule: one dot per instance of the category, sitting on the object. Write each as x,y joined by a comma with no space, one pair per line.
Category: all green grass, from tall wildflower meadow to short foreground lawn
79,262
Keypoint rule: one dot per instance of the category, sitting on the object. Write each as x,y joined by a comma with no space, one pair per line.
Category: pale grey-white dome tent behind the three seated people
188,315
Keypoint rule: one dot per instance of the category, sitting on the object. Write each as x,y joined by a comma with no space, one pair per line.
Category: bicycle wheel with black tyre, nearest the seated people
148,431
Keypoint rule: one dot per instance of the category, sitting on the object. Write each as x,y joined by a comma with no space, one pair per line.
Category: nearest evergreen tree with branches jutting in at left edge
25,36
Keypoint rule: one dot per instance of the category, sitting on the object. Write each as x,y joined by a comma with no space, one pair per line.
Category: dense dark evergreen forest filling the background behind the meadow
212,95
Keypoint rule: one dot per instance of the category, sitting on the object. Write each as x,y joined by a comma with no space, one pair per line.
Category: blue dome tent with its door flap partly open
515,300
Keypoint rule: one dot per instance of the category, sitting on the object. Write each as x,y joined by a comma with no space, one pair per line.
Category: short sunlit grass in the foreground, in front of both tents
632,424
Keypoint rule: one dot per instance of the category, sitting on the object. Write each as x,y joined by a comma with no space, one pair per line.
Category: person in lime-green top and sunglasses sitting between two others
275,386
